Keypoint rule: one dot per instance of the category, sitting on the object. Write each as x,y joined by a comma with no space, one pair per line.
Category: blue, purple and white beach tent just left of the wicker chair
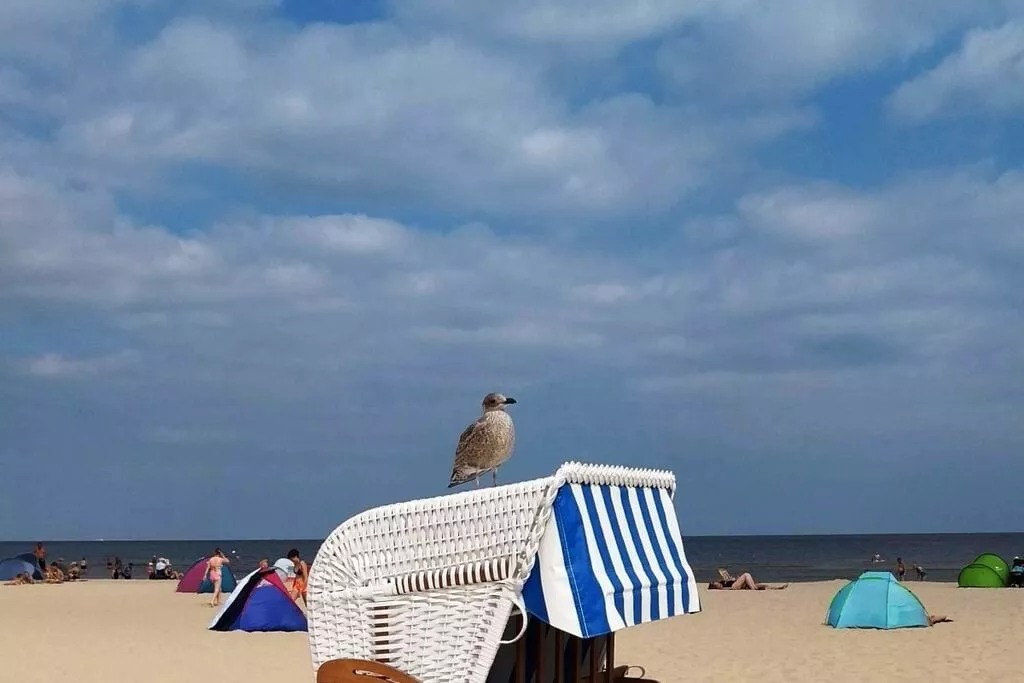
261,604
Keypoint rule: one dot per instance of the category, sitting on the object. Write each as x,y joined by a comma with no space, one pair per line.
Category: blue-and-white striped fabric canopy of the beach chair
611,558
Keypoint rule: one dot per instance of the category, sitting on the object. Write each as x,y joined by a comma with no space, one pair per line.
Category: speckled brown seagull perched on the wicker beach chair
487,444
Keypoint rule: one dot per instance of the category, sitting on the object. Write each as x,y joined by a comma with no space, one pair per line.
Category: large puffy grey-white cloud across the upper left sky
444,122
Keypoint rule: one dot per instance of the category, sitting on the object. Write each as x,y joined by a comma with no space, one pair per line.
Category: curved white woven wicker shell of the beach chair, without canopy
423,585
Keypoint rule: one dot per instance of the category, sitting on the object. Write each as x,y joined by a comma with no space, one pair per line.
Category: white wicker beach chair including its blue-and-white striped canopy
428,587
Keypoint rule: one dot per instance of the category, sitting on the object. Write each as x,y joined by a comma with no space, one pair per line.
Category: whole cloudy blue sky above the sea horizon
273,254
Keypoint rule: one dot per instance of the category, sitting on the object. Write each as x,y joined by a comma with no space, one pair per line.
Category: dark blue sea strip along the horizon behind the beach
769,559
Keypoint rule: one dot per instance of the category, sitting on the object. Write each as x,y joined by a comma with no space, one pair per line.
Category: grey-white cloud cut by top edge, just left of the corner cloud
777,51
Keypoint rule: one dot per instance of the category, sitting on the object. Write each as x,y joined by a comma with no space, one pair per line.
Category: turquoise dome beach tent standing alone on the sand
876,601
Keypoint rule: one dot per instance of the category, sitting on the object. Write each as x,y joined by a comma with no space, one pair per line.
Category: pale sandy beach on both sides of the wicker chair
98,631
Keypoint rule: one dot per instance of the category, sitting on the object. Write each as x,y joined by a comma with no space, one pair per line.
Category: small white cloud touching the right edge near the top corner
986,76
